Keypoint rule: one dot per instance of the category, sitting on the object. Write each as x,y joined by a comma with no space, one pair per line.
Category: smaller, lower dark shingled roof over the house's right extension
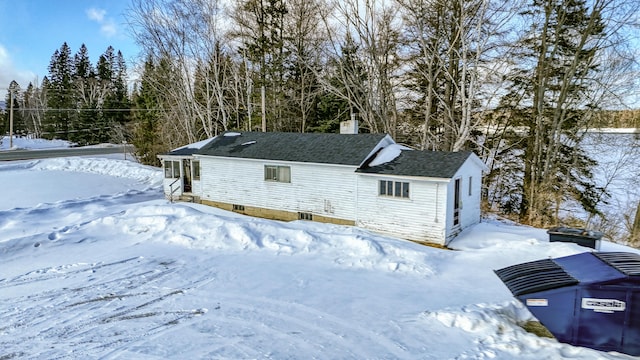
436,164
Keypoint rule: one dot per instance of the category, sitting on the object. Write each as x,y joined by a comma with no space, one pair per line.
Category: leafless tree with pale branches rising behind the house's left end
186,33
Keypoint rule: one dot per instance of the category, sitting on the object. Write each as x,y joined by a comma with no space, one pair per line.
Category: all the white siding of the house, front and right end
338,191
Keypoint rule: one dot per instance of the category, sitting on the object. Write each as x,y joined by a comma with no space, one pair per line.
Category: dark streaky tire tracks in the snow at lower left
69,319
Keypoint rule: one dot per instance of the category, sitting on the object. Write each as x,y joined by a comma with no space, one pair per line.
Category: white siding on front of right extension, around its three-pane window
421,217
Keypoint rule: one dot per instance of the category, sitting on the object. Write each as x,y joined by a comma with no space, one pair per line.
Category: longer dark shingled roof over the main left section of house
309,147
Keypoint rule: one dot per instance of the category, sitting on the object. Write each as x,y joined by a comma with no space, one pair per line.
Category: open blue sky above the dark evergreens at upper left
32,30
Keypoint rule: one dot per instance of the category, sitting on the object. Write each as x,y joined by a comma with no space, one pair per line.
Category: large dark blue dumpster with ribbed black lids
588,299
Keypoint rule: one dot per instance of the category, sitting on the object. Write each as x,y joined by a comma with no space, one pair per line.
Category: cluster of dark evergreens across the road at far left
76,101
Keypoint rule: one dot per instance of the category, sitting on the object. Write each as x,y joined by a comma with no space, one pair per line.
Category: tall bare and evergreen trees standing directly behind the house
517,82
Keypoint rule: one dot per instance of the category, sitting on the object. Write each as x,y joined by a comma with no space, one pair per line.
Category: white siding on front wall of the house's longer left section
327,190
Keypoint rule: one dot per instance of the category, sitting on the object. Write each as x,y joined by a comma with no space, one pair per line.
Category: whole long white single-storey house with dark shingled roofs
366,180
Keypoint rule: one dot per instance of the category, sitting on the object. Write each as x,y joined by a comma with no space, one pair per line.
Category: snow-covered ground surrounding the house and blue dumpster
95,263
